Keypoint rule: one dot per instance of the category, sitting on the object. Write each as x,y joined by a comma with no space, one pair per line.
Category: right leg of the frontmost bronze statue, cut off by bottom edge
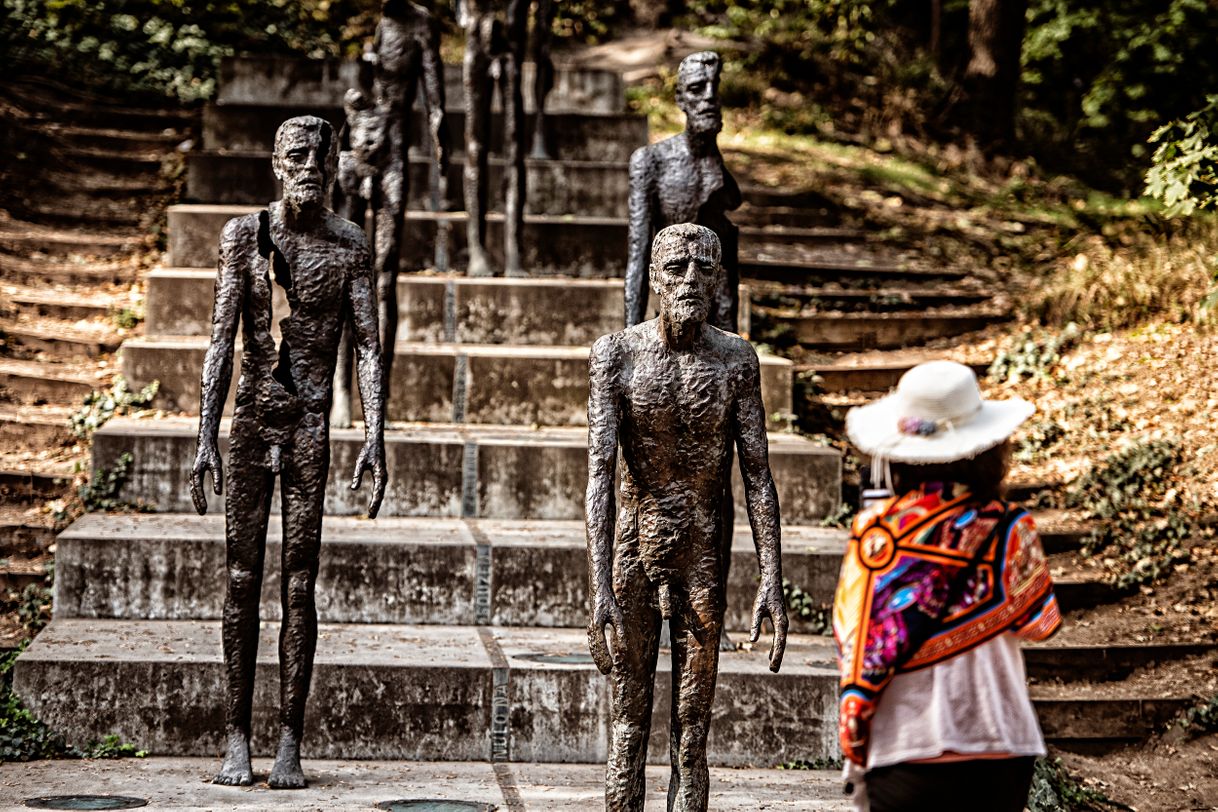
697,623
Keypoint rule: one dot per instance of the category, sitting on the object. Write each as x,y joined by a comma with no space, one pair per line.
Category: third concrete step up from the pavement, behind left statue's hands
437,471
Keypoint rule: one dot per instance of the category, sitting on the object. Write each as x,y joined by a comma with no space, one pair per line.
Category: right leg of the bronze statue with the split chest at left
303,488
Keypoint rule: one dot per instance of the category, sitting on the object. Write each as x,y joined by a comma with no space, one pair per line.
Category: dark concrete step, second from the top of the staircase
577,137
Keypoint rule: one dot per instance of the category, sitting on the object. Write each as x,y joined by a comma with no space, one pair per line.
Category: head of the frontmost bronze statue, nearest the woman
685,271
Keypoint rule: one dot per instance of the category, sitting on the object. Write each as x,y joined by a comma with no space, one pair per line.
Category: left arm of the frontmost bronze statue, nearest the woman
600,503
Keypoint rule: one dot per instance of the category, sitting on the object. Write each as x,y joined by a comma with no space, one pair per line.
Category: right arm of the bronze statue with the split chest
362,301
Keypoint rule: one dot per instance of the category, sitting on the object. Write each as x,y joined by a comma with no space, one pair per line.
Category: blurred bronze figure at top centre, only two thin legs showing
496,38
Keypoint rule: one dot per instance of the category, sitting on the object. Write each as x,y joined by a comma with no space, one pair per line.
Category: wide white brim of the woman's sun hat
873,429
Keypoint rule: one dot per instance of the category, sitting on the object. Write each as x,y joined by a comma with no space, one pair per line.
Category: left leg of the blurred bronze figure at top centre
479,91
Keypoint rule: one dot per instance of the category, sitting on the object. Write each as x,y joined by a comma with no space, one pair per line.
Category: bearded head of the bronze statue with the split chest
306,161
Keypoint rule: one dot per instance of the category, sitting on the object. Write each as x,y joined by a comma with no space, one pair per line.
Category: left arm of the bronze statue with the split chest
219,362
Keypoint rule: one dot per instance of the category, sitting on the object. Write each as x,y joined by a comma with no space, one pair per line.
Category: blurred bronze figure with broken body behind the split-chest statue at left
375,169
